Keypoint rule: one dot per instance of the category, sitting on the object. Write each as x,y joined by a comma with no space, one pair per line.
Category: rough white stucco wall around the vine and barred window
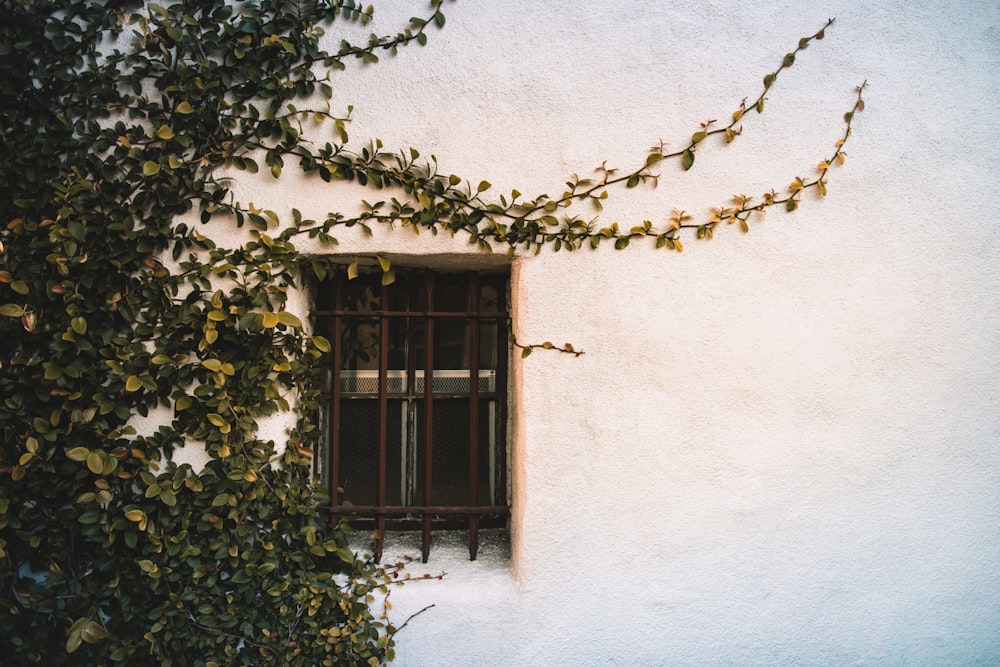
781,447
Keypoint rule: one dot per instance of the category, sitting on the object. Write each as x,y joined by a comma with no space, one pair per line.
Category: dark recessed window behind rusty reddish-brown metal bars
416,417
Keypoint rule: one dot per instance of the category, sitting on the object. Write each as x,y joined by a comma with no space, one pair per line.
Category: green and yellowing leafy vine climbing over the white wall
121,122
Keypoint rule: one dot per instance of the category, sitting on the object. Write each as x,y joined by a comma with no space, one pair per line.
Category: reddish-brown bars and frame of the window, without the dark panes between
329,316
